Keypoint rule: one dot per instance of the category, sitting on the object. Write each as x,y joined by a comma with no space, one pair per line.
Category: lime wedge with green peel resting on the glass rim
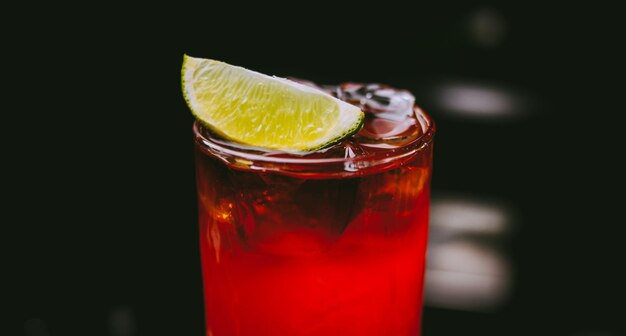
269,112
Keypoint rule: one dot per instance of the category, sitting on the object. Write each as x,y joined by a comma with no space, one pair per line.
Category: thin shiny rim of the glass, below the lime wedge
231,154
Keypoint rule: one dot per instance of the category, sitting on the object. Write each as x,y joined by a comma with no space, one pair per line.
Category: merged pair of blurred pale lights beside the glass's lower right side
467,268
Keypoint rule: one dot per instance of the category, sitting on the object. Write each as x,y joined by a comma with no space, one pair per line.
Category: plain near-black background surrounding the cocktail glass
101,223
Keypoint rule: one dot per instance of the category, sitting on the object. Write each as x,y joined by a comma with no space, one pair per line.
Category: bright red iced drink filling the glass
317,253
